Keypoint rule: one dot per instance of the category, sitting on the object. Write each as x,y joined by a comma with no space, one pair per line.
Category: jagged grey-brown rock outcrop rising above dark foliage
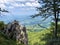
15,31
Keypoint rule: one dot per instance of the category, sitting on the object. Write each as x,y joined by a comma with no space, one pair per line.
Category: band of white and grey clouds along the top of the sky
20,3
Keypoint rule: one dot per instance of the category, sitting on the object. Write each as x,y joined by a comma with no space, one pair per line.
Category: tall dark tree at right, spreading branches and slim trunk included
49,8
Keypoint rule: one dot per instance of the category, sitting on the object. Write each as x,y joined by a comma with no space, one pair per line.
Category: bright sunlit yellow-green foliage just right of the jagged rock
35,38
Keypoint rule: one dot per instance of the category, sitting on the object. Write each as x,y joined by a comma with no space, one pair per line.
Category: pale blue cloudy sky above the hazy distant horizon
20,7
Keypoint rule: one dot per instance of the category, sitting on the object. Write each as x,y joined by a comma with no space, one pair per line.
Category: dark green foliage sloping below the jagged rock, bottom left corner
7,41
